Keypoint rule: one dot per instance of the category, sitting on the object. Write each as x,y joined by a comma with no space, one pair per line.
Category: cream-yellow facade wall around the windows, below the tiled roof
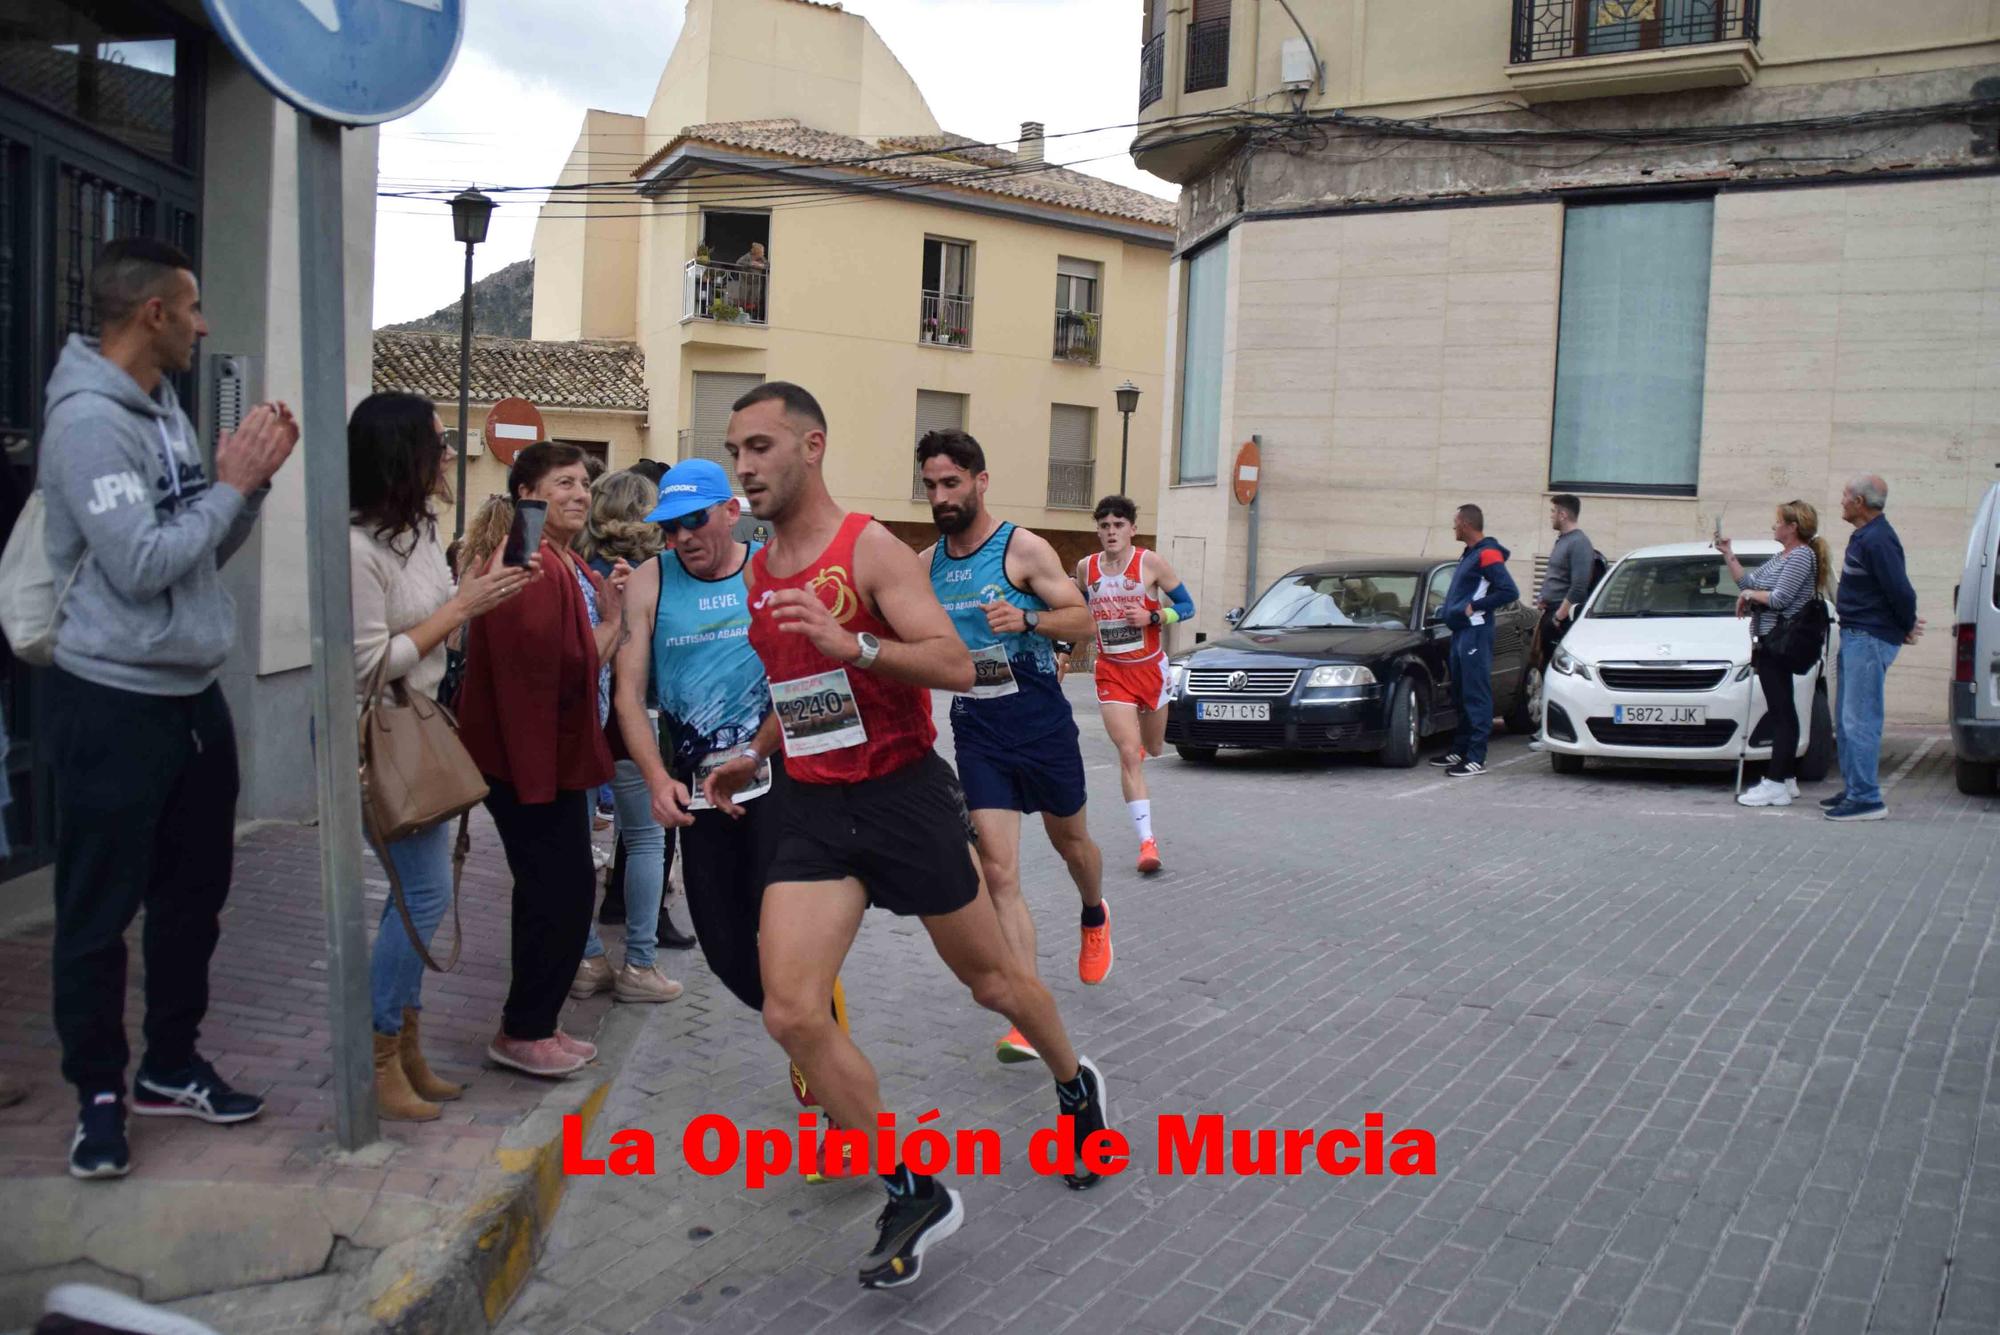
845,307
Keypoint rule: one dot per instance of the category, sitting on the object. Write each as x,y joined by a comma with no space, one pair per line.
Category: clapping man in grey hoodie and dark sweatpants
141,740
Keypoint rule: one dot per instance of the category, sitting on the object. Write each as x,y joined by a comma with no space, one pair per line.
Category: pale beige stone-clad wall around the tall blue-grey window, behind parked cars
1399,365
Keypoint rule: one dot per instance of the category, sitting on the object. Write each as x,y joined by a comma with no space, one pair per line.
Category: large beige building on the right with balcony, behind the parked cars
1685,259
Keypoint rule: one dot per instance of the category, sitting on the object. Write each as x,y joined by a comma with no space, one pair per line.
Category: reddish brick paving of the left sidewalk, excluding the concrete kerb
269,1032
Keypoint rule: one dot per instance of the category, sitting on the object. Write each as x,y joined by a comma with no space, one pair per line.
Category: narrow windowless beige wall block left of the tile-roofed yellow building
587,243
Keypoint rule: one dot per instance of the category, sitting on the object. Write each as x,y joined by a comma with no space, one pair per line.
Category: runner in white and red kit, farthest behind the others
1133,595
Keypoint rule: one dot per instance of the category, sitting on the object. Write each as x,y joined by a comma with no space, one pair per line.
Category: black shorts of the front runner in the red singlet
905,838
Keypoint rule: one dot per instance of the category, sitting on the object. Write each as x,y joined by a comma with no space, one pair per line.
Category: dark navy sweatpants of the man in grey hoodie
145,796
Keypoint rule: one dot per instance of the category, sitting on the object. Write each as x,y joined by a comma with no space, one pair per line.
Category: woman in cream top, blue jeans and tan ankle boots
405,609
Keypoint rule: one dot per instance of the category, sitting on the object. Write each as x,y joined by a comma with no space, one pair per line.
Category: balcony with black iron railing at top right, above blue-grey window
1593,49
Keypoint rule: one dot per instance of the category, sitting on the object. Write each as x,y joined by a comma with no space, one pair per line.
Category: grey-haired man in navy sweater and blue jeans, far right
1877,619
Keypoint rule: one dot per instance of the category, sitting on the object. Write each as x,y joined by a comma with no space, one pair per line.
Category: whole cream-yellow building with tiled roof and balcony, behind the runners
797,213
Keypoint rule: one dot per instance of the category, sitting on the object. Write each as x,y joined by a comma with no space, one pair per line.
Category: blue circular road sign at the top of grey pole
351,61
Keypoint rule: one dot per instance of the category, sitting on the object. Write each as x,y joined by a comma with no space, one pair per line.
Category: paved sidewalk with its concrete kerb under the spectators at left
265,1202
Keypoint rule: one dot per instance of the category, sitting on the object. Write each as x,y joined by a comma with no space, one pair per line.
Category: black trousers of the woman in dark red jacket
555,890
